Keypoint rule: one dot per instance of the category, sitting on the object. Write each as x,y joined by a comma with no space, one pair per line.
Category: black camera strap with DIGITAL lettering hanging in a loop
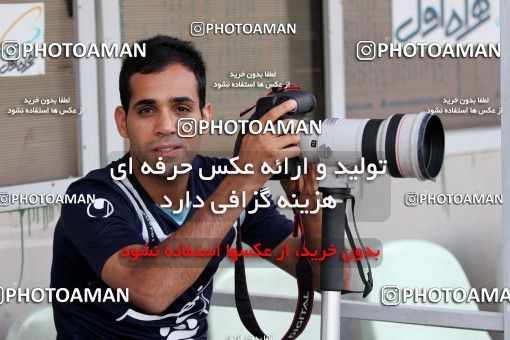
304,274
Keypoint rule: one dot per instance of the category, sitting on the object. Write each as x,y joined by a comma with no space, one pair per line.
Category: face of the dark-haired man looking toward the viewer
157,102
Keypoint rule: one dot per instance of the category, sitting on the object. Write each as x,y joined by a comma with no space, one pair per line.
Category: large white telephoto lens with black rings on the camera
411,144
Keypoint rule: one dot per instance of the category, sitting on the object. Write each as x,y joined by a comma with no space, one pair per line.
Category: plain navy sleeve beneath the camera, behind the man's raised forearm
267,226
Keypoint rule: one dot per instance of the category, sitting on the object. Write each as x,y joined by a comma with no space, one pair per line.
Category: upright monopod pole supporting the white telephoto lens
332,268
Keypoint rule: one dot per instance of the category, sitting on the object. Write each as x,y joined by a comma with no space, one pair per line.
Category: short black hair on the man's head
161,51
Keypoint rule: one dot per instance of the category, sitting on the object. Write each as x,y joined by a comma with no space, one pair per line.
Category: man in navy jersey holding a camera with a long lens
168,296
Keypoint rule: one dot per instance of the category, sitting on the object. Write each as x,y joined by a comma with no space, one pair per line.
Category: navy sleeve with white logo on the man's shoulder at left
99,229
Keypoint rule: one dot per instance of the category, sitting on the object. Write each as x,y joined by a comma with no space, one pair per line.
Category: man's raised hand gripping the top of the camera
260,148
